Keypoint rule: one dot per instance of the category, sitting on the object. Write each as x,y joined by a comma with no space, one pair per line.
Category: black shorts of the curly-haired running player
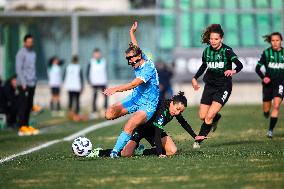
216,93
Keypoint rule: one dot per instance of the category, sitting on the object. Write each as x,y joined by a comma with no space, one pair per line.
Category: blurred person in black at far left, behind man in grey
11,94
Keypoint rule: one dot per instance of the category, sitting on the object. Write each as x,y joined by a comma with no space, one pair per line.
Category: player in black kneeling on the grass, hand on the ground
153,130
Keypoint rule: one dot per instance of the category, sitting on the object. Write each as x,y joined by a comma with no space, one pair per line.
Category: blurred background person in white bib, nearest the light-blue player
97,78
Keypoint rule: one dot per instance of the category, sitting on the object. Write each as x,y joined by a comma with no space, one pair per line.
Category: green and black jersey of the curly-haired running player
217,62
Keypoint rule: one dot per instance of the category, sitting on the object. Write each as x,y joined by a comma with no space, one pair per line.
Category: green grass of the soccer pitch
238,155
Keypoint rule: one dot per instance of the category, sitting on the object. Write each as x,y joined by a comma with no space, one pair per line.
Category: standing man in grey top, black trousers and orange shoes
26,81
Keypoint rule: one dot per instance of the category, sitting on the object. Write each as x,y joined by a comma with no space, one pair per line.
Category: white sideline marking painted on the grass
68,138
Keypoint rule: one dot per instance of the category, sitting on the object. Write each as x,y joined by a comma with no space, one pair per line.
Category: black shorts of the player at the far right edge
271,90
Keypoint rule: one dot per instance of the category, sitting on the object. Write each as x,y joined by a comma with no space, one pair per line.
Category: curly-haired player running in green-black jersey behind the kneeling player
217,58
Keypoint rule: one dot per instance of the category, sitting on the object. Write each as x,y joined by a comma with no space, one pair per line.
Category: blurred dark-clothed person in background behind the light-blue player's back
165,76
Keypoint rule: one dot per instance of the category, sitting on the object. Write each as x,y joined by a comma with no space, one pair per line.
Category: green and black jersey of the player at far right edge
273,61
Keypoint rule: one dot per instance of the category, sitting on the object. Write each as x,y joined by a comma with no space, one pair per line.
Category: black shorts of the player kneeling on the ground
147,132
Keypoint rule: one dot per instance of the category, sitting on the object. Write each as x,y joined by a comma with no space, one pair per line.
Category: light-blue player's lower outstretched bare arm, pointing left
125,87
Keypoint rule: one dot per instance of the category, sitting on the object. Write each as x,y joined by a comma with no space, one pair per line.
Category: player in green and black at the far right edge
273,80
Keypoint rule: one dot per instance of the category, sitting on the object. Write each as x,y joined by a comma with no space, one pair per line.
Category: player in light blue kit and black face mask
142,102
